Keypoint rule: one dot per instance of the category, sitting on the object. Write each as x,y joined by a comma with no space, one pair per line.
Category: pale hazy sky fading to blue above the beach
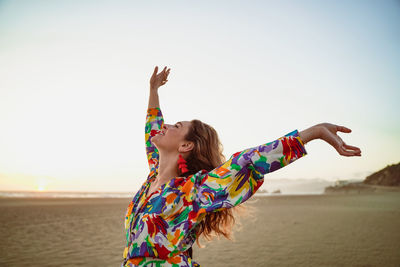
74,84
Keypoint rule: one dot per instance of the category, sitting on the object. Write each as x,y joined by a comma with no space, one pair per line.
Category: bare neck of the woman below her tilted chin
167,167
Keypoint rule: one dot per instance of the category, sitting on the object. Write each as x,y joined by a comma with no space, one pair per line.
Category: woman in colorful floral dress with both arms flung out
192,190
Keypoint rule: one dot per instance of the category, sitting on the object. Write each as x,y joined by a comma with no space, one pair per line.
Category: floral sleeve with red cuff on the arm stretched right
236,180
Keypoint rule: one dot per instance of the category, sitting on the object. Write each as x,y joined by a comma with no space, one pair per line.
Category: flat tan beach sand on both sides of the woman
305,230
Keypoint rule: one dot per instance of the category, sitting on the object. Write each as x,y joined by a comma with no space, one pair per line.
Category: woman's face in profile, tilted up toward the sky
171,137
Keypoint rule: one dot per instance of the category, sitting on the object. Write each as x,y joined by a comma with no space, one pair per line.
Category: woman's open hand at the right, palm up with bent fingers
328,134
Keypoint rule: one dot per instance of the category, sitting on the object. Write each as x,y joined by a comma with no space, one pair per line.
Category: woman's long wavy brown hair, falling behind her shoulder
207,154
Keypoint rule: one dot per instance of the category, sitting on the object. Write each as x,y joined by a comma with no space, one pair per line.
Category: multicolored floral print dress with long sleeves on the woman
160,226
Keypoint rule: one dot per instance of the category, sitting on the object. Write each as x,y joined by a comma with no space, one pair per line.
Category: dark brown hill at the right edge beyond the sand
387,179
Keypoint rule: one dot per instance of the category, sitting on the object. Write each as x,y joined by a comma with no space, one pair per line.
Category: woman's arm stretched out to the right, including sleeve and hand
236,180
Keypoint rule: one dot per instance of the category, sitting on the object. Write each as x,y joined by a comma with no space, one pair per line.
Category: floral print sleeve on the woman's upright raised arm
154,123
